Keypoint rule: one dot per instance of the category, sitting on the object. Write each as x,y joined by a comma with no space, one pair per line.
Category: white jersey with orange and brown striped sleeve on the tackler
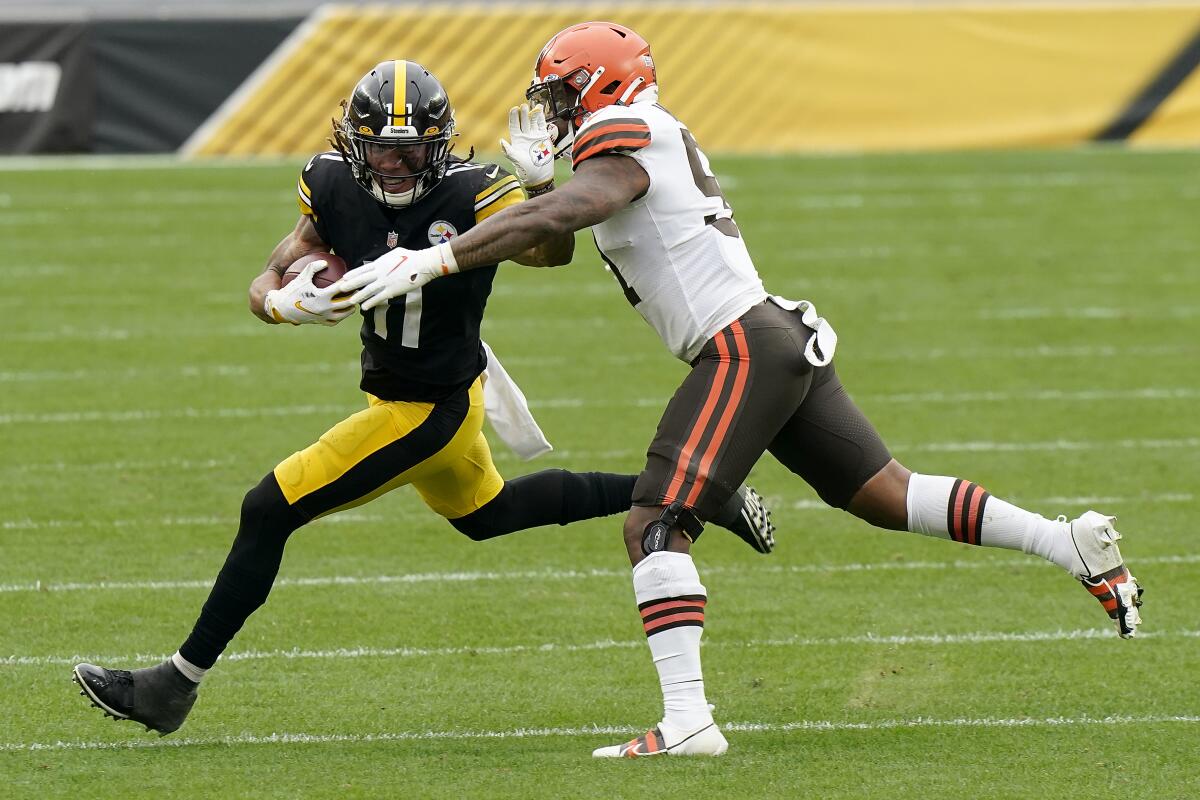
676,250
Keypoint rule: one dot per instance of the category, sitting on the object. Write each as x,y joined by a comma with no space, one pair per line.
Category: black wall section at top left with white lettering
123,86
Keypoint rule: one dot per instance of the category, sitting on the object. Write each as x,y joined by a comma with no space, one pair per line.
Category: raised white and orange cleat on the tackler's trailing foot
1105,574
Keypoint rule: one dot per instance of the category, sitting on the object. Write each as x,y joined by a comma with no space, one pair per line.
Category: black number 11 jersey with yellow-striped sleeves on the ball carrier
423,346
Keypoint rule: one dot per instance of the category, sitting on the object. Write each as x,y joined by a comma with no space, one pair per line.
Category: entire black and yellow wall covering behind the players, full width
747,77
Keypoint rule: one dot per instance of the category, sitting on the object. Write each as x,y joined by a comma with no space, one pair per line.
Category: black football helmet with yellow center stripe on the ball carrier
395,133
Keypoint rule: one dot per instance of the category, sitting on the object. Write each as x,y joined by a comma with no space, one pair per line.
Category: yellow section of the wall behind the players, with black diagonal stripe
771,77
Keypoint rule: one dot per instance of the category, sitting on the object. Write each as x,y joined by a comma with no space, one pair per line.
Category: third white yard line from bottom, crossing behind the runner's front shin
985,563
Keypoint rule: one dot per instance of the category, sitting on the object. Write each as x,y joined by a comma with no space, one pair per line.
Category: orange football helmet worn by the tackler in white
586,68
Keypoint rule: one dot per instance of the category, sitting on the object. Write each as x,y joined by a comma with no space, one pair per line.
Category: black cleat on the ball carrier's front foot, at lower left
159,697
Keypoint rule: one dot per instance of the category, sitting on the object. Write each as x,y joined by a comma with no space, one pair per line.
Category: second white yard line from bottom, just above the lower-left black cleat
874,640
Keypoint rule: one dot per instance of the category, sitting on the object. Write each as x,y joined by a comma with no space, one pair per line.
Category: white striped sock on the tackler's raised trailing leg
963,512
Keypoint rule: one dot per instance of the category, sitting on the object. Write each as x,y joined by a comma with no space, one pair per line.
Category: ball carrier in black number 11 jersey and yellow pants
392,182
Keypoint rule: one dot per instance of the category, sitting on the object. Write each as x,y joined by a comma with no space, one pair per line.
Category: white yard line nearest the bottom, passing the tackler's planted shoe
800,726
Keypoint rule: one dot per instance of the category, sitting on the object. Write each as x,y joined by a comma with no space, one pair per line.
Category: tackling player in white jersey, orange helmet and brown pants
763,377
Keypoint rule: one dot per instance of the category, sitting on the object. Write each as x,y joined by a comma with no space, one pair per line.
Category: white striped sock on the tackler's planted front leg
673,600
